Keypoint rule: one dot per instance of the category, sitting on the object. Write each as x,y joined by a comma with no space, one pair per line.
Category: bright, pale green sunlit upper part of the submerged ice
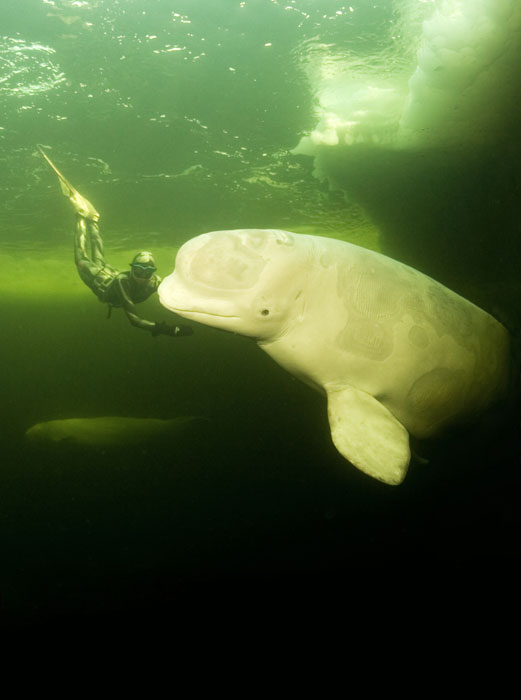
443,78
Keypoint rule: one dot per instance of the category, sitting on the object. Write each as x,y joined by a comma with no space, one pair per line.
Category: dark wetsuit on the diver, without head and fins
117,289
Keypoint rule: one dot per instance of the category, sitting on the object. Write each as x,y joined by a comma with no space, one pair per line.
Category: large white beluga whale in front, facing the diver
395,352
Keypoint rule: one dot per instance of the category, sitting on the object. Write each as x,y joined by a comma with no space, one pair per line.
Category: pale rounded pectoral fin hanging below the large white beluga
368,435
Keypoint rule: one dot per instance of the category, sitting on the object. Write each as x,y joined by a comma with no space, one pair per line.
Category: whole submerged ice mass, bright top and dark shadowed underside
422,132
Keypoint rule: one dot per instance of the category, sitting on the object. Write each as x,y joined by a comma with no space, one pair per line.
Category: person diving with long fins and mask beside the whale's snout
117,289
